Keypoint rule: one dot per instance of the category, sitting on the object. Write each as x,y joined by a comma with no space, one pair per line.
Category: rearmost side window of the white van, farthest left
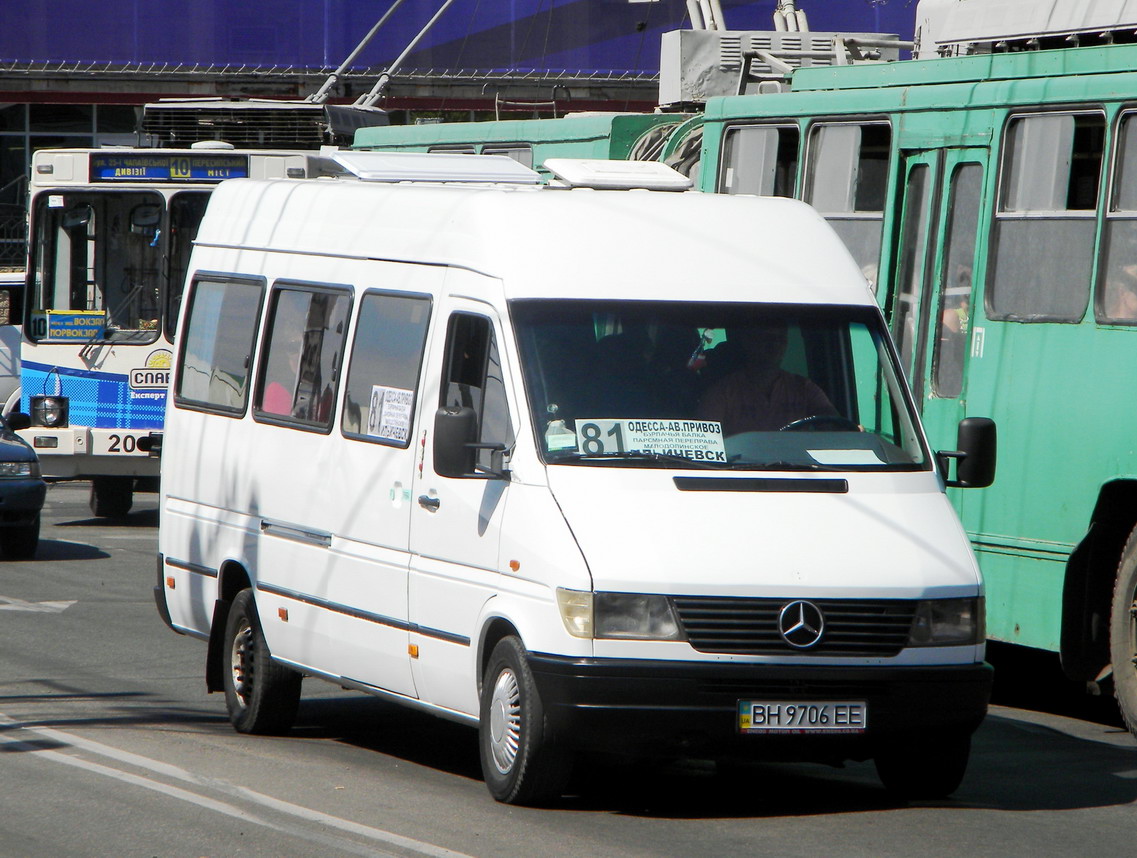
221,327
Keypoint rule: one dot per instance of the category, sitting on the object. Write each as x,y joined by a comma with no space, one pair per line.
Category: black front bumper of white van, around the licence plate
691,709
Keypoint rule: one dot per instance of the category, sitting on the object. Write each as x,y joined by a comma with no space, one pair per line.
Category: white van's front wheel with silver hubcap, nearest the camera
519,765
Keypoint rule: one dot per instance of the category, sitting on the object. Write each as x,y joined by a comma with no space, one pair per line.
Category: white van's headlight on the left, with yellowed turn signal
619,617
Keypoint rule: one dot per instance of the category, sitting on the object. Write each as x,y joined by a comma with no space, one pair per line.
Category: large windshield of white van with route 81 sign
716,386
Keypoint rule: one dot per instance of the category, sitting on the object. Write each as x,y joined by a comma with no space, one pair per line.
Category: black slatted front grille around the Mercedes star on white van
877,628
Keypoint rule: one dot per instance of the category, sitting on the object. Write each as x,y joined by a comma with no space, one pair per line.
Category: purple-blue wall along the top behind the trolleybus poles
592,36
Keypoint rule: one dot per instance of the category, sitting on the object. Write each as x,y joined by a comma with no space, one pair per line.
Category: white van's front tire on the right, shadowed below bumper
926,769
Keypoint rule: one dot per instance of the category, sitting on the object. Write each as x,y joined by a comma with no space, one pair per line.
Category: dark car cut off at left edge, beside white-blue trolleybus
22,492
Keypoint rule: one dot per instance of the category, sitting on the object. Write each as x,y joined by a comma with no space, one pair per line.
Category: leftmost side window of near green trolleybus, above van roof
760,160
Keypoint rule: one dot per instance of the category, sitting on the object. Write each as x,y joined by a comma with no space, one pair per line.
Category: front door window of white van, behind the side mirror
472,379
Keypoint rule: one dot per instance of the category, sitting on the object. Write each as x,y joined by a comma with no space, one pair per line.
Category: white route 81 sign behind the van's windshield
698,440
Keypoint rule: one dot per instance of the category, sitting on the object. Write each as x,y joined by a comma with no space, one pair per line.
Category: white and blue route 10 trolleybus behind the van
111,238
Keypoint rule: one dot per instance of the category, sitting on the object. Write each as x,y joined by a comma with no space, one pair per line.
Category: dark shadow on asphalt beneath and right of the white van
1016,767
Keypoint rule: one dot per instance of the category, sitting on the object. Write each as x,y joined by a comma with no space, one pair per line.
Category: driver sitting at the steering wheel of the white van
761,396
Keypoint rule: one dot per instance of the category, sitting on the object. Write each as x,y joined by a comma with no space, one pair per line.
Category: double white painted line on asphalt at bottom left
169,771
